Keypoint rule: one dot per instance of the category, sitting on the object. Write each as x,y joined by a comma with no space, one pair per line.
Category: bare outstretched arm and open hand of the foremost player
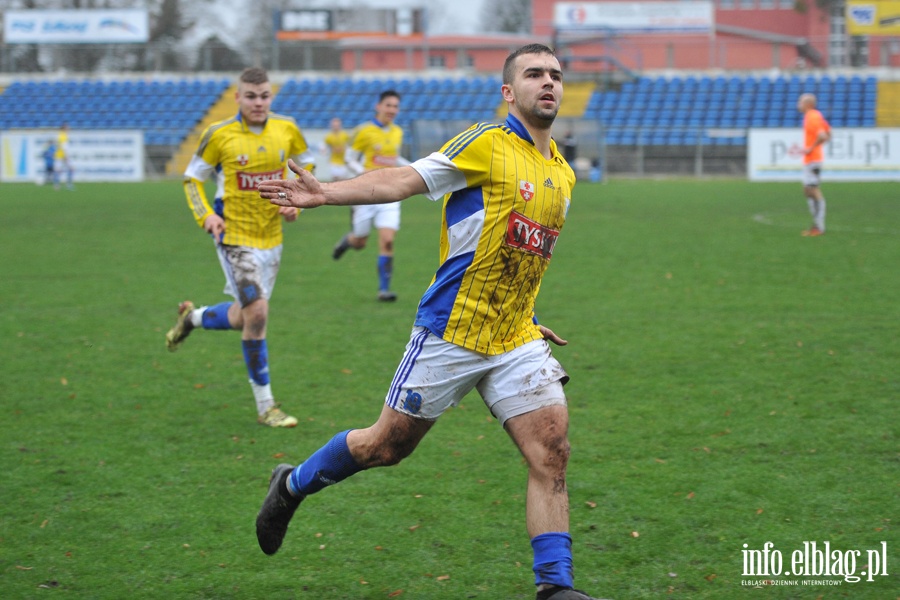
375,187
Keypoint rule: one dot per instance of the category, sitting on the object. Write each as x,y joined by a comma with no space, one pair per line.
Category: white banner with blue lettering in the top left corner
83,26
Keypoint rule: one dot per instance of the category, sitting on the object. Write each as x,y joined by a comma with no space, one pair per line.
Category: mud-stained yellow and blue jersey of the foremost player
500,226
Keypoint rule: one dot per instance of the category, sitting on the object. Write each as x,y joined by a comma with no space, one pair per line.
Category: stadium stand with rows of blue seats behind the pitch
650,110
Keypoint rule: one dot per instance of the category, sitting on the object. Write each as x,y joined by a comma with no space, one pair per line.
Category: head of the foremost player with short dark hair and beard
536,89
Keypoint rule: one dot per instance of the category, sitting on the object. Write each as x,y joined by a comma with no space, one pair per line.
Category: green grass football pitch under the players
732,383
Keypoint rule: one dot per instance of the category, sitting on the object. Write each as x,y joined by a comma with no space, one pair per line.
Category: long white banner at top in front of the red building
676,16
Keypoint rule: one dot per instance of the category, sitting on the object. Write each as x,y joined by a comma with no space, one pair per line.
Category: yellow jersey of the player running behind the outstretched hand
241,159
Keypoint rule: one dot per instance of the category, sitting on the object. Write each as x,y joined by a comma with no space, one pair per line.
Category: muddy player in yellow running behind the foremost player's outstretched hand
241,152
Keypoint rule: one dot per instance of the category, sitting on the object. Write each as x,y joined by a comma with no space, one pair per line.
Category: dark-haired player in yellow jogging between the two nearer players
376,145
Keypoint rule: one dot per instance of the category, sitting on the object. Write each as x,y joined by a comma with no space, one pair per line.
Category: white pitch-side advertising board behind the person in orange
853,154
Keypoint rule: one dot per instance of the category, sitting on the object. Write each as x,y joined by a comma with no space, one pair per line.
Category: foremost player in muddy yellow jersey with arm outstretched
506,191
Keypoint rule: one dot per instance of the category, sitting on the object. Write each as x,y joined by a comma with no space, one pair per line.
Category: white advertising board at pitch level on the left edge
111,155
